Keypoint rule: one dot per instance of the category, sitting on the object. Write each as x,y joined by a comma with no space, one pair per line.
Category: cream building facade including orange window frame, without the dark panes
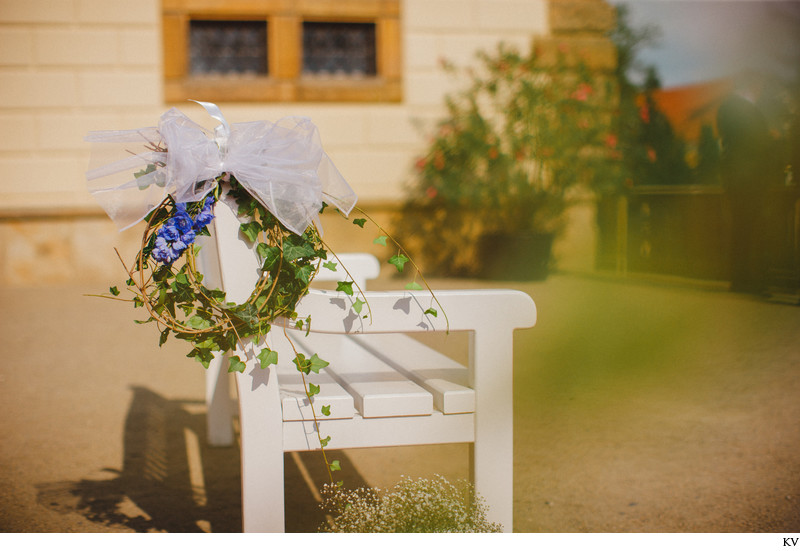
68,67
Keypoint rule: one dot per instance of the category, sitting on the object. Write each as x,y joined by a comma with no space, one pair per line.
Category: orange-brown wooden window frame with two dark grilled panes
305,50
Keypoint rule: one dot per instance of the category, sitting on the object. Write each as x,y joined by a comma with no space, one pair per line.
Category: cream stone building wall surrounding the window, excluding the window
71,66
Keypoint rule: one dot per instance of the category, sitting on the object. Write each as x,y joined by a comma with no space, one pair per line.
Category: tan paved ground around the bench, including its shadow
638,408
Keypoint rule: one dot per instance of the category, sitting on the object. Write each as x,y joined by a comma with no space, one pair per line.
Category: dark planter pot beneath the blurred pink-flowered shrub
515,257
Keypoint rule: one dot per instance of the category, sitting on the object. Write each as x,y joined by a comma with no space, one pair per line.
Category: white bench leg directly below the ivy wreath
261,423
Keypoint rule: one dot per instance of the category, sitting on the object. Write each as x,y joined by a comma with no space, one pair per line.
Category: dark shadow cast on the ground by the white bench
172,480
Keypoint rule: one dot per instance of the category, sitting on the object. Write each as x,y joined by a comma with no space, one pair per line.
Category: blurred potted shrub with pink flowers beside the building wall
516,144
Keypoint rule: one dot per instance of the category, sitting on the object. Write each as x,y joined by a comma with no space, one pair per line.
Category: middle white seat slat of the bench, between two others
377,389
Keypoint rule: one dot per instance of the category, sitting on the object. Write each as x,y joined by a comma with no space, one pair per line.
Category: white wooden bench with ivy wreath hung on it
384,388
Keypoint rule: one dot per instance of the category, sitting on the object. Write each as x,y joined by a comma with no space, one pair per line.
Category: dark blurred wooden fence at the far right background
687,231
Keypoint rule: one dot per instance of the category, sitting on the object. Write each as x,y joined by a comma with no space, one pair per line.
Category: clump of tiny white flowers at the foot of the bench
420,505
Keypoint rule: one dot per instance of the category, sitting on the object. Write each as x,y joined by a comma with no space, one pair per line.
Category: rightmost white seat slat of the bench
446,379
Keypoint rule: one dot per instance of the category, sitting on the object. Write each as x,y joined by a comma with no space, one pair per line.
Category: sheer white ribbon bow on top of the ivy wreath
281,164
